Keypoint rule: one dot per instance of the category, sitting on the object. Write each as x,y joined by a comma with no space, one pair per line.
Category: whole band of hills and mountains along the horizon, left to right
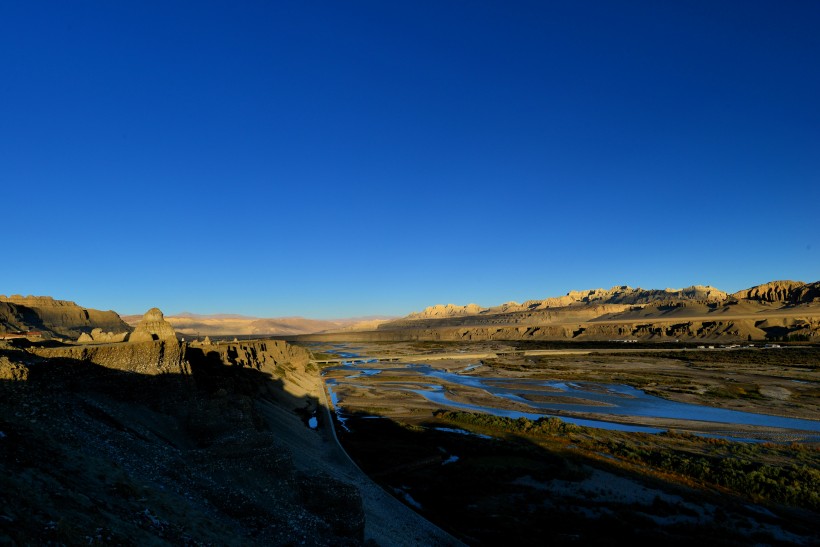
775,310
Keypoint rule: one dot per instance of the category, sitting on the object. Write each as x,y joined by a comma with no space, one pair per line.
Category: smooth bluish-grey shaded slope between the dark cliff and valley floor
388,521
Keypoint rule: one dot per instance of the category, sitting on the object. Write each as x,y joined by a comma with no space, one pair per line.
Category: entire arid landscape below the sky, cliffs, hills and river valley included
622,416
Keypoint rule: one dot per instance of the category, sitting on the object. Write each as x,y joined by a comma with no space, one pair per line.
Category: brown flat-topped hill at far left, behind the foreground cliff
55,318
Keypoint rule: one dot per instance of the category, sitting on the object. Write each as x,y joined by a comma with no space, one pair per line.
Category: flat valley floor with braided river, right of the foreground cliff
483,465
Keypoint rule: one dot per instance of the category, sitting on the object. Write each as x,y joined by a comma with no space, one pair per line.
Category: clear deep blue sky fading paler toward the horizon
336,159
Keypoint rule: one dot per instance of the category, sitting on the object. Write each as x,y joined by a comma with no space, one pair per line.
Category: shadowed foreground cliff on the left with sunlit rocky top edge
92,452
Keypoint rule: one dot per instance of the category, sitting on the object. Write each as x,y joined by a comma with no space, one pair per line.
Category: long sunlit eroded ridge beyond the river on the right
779,310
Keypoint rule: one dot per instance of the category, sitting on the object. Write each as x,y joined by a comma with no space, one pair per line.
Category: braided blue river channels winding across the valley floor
543,397
